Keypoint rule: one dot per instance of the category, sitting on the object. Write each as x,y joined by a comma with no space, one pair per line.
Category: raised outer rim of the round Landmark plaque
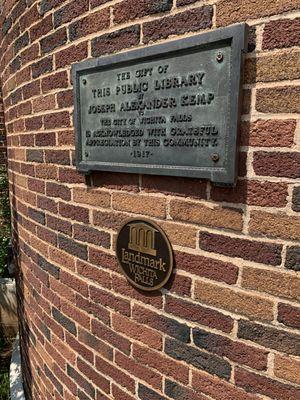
136,285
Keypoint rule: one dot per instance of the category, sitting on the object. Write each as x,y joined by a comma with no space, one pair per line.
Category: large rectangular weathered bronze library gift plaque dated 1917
168,109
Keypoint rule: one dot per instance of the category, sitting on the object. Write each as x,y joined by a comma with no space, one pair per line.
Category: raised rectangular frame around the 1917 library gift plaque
236,35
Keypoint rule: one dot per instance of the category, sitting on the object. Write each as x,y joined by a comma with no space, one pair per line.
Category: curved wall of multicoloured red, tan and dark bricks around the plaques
225,328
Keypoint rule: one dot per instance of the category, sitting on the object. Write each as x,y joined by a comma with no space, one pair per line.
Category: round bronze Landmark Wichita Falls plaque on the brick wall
144,254
